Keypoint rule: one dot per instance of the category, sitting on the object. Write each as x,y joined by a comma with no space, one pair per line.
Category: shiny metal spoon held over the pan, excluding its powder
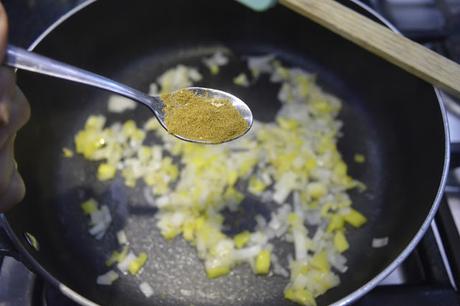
25,60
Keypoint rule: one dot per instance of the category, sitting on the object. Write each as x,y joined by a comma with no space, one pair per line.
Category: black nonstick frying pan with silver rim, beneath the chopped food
393,118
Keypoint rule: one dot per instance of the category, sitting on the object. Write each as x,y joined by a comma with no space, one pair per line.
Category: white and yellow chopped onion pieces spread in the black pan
292,161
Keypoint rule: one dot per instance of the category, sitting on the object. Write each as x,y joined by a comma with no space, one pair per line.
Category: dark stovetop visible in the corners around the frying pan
431,273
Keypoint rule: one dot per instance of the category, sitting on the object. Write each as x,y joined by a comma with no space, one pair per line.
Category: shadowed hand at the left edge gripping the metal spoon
14,113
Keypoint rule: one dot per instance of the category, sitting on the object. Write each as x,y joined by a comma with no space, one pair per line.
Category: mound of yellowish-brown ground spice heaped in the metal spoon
197,117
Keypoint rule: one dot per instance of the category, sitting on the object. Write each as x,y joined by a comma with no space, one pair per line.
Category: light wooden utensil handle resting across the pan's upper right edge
381,41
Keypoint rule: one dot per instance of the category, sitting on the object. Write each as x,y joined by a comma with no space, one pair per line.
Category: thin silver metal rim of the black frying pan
350,298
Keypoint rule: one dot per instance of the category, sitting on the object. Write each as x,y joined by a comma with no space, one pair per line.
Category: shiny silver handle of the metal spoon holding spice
25,60
